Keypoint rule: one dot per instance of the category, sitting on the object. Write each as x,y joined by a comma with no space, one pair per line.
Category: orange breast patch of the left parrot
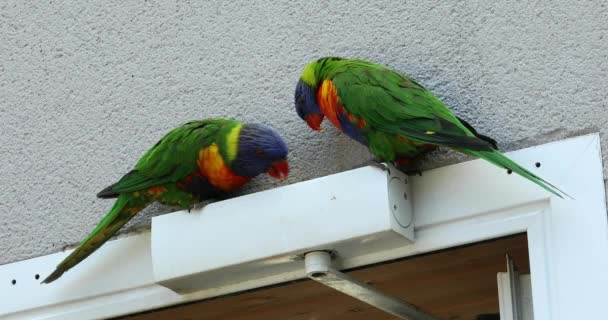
212,166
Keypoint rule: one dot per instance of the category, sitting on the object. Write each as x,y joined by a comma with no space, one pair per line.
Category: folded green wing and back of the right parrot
391,102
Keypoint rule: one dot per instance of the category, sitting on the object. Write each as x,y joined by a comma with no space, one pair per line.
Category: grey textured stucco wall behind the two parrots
86,88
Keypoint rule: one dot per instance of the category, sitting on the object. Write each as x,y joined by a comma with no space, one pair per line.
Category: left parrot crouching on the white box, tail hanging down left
197,161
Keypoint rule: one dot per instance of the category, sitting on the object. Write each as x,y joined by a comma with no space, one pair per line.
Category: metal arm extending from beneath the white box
318,268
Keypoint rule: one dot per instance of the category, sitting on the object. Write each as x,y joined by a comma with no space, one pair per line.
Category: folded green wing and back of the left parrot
171,159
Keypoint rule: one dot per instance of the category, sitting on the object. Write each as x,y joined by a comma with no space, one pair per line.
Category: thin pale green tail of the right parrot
500,160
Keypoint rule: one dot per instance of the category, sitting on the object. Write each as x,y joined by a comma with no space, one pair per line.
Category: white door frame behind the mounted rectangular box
453,205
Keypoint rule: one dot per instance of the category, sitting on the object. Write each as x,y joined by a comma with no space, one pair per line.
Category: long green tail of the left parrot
122,211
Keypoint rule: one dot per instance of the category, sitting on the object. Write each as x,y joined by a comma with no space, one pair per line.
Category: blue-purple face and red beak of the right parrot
307,106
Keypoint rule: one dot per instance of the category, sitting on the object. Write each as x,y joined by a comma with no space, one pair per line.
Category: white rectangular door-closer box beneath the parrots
266,233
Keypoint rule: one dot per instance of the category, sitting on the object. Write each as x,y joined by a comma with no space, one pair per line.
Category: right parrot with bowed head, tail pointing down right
391,114
